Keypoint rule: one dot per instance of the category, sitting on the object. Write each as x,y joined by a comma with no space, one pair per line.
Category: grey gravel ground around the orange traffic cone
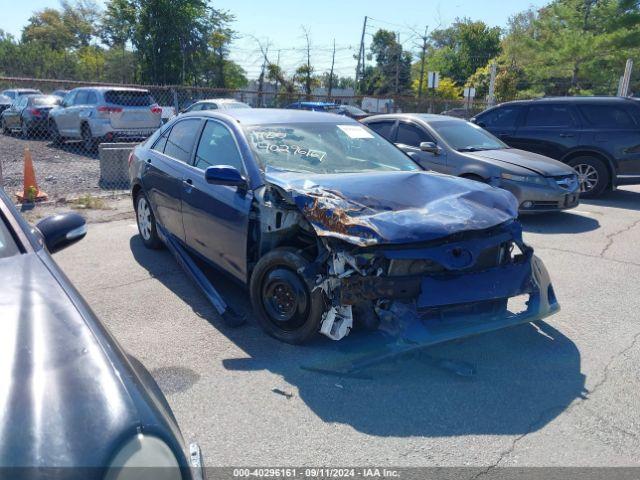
62,172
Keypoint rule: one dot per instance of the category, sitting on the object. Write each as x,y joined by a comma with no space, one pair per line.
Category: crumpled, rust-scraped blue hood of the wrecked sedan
394,207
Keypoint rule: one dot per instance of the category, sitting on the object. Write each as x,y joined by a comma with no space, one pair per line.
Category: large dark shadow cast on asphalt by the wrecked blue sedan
525,376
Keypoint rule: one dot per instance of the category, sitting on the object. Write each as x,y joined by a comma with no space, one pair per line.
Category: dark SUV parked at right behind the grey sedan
598,136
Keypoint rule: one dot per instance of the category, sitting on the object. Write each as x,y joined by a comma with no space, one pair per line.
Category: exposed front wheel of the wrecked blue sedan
286,308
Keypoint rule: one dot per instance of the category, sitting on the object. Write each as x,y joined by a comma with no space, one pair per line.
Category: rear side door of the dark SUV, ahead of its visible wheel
550,129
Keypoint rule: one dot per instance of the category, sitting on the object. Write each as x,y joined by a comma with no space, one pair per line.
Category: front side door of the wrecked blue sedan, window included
216,217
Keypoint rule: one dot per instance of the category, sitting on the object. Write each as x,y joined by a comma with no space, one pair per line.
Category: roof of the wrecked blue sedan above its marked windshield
270,116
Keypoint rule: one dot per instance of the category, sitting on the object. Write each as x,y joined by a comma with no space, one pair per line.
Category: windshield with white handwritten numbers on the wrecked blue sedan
325,148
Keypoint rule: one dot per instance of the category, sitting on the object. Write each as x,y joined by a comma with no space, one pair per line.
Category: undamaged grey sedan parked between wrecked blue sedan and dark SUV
457,147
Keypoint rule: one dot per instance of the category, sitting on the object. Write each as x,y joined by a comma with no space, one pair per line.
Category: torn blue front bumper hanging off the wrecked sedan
407,326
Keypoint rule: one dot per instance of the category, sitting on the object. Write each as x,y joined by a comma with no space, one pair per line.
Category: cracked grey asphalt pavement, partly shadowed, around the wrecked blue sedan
562,393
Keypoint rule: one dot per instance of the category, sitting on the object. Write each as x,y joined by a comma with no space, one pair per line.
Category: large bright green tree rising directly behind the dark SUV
572,46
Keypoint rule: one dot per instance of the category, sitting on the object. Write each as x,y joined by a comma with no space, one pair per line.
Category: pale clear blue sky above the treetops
279,24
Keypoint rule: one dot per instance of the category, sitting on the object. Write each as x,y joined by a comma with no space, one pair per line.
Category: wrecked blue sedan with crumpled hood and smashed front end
328,225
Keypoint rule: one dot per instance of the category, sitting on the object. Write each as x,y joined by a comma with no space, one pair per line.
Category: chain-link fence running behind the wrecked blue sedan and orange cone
78,140
